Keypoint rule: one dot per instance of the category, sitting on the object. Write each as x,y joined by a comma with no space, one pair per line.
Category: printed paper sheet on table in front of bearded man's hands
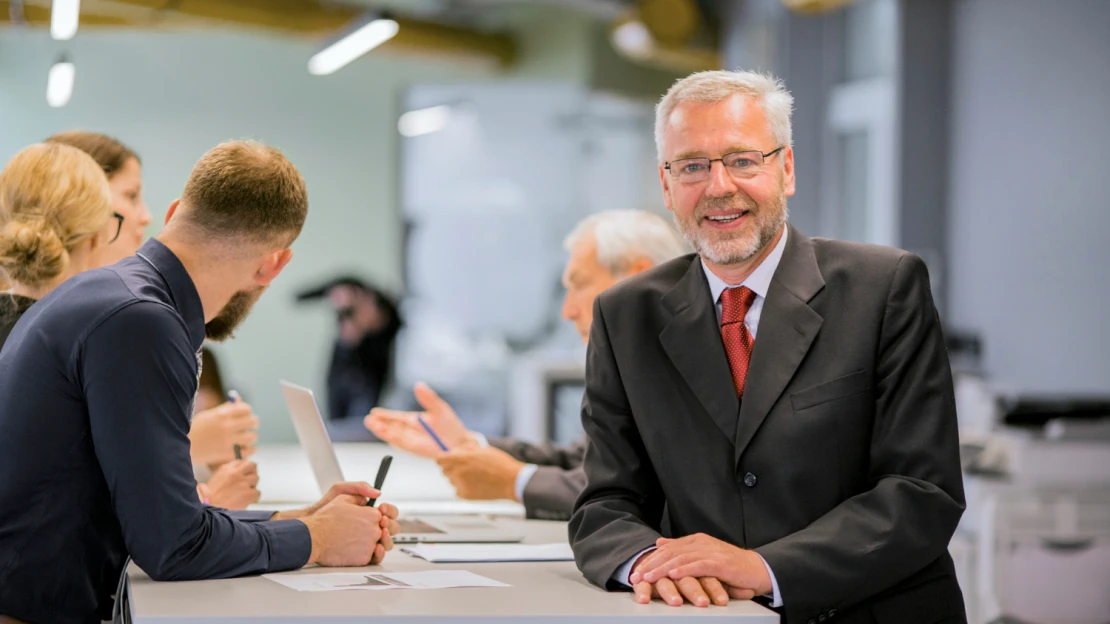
370,581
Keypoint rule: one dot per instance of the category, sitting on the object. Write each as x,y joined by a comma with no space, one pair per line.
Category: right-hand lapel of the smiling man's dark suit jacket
788,328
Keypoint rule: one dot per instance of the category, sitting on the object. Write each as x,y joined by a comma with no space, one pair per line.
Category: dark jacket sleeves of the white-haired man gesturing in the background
557,485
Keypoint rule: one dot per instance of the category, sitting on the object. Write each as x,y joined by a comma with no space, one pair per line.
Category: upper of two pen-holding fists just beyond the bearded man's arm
215,434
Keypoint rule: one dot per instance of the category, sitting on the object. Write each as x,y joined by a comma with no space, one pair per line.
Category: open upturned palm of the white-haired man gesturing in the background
403,431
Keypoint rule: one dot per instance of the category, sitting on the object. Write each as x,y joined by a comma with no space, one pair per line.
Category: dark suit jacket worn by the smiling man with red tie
842,467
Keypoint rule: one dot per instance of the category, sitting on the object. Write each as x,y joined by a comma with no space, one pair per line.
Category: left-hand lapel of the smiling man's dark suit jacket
692,340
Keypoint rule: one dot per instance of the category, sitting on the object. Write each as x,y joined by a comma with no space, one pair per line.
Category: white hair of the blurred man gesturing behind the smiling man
625,236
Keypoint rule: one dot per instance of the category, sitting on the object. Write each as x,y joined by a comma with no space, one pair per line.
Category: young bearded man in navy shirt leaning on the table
97,385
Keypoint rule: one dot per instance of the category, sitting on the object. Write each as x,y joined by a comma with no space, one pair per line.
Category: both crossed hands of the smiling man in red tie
700,570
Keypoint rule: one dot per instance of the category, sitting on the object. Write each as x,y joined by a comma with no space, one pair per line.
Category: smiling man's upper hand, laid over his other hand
699,557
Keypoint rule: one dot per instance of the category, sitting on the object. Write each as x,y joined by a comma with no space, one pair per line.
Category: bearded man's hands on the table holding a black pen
346,531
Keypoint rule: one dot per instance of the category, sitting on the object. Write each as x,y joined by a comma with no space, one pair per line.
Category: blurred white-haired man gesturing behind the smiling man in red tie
604,249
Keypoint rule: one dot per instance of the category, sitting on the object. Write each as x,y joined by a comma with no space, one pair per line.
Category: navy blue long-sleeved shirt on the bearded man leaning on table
97,384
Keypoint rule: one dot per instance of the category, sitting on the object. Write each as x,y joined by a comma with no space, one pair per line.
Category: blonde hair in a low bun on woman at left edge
53,198
